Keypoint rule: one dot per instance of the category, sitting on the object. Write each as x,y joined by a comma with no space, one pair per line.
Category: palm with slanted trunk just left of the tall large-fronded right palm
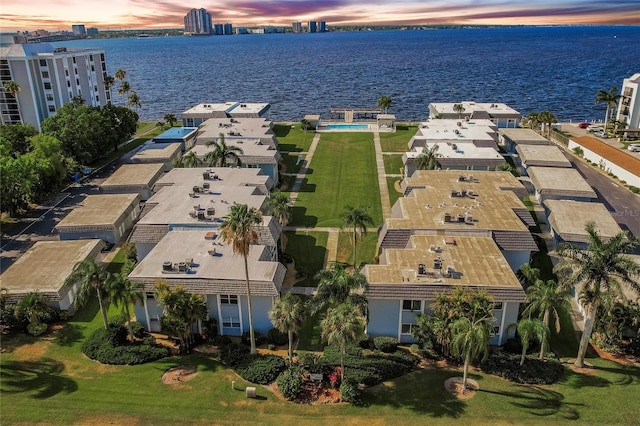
546,299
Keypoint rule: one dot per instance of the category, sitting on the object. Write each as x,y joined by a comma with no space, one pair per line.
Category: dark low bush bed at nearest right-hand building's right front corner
534,371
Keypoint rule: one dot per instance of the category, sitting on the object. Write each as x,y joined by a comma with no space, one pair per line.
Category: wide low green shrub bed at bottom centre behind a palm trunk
370,367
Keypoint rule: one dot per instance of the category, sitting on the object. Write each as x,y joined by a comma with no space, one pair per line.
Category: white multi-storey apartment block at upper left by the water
48,78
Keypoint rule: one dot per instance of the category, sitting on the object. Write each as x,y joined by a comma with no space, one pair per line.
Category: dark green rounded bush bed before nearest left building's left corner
108,347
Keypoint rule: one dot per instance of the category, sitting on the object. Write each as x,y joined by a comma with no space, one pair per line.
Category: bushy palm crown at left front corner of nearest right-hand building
336,286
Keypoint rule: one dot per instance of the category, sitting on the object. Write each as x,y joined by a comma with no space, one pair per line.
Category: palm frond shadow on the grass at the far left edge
42,378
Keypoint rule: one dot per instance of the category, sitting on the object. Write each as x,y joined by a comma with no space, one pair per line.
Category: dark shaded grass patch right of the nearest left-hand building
308,250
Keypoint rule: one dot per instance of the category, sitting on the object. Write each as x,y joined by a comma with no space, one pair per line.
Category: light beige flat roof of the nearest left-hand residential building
222,273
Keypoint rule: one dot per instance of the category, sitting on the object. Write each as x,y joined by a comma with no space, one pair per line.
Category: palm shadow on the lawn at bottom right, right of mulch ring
540,402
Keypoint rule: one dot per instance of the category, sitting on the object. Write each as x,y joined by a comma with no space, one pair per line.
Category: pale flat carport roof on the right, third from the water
560,182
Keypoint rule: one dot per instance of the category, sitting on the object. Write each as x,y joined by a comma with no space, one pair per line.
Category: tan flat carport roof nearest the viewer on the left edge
46,265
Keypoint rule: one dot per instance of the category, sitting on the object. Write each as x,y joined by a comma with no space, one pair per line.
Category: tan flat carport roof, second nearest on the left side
101,210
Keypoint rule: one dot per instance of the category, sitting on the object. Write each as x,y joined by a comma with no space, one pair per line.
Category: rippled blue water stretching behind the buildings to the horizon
533,68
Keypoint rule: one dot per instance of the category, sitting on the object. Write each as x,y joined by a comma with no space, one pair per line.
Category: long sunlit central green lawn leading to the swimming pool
342,172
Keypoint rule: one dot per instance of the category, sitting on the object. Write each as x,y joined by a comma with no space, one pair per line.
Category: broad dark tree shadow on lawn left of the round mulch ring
421,391
